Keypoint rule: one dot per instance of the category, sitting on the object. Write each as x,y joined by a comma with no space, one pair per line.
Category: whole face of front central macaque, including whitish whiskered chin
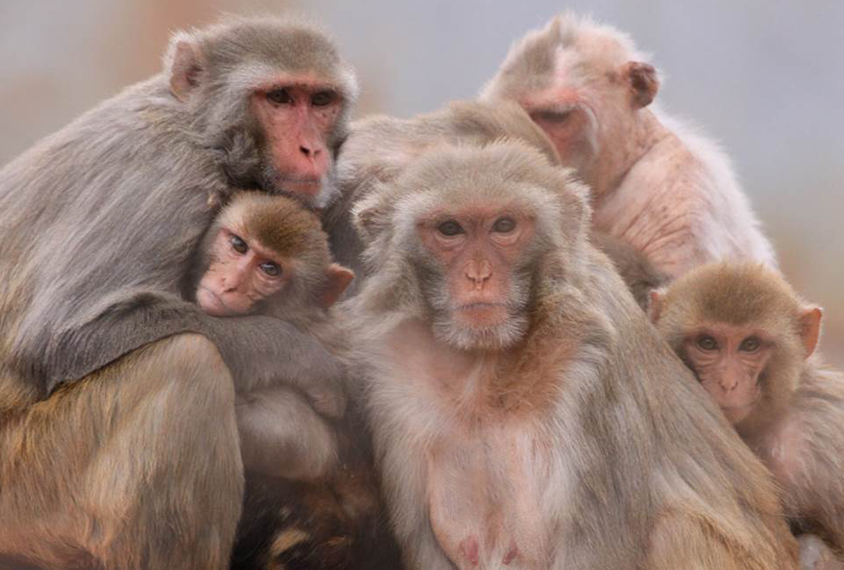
481,297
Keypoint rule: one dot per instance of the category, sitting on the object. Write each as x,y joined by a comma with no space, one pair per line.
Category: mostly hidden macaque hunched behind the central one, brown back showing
379,148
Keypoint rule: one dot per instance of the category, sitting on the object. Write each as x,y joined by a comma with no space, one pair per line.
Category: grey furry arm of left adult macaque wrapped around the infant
258,350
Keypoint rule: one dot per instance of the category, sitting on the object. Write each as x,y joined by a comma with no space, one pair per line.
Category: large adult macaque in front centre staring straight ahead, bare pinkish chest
525,414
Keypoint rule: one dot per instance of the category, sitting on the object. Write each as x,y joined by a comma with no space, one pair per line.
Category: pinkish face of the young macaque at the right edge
728,361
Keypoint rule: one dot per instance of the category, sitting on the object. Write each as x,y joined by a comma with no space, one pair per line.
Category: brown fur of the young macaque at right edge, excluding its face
796,427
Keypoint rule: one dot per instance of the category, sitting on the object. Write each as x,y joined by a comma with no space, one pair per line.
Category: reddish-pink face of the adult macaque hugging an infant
297,116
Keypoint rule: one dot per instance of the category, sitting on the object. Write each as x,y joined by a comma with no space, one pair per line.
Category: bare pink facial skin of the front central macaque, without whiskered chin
478,250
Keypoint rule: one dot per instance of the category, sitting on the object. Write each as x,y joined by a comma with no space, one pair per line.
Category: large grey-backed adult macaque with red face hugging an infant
137,465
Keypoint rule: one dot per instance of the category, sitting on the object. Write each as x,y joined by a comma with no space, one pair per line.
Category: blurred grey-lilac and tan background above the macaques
765,78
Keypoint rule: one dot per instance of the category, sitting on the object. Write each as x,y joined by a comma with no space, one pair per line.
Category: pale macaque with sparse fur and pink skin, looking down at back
655,183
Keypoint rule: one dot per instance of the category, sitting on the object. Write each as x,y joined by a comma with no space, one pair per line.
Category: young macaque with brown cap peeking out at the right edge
748,338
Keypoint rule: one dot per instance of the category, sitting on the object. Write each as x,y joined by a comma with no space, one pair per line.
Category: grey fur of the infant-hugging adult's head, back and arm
100,221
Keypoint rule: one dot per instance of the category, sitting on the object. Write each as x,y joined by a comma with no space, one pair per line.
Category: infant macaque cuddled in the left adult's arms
268,255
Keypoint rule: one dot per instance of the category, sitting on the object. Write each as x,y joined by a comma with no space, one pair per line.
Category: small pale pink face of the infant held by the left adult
241,275
